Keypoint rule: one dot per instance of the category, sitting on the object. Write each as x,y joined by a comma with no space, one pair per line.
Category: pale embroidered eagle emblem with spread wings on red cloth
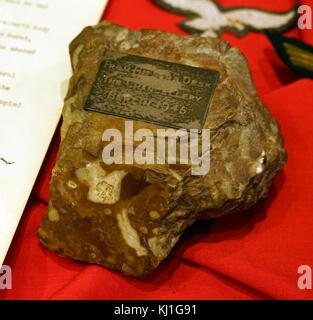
208,18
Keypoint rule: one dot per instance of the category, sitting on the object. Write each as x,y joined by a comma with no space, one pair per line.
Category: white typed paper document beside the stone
34,69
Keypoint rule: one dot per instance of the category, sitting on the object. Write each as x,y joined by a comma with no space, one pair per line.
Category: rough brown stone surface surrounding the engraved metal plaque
150,206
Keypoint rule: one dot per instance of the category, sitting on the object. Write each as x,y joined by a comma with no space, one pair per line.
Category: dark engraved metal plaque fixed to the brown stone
160,92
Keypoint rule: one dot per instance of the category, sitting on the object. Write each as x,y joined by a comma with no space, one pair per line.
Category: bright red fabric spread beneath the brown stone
252,255
